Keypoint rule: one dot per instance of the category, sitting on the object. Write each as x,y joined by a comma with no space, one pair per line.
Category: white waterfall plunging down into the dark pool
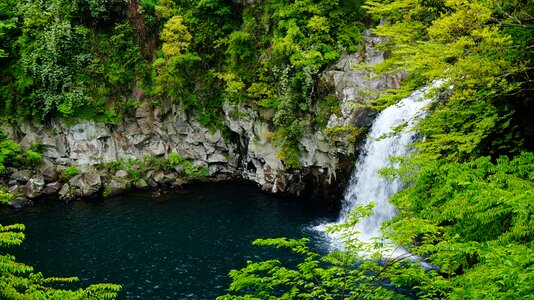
366,185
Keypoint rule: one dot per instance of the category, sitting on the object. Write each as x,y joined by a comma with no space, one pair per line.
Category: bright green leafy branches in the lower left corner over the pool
19,281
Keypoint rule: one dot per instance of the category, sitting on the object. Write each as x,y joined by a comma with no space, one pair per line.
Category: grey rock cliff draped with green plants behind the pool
258,90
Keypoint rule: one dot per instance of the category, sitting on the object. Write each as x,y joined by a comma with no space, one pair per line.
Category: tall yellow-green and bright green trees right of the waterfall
467,209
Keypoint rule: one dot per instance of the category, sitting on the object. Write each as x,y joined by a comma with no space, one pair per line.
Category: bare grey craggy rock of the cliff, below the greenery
247,153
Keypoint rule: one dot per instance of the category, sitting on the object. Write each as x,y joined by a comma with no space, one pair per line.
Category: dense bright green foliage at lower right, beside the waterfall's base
467,219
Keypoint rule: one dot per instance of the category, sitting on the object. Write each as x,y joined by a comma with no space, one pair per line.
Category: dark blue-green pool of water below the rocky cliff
179,246
